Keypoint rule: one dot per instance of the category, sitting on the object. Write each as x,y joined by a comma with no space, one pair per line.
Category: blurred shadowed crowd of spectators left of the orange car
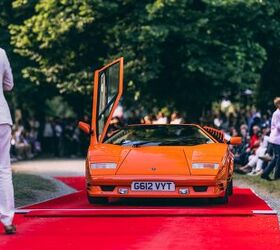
53,138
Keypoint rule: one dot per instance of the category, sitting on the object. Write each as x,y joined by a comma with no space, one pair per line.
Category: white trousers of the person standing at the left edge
7,204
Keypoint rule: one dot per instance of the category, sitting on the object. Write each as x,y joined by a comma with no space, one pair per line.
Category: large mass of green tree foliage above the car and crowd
181,54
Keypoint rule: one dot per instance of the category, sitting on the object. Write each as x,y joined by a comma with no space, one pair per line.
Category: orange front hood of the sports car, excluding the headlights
158,160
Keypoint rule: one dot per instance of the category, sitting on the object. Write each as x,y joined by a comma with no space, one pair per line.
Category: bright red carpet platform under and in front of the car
69,222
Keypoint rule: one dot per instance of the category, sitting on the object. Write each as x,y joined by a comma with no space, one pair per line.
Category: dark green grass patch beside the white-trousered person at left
30,188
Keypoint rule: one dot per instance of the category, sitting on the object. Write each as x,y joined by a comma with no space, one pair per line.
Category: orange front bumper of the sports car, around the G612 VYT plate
214,187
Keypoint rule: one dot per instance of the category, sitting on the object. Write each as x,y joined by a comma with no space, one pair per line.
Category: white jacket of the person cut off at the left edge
6,84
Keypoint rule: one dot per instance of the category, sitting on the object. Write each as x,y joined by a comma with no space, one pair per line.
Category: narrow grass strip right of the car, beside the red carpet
272,187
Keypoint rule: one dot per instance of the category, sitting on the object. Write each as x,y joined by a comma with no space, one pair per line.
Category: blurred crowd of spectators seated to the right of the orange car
253,156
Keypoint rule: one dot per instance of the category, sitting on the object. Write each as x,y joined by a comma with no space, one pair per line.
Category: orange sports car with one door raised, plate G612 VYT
147,161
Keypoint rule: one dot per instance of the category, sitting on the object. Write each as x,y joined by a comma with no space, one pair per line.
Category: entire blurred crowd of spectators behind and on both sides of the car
61,137
